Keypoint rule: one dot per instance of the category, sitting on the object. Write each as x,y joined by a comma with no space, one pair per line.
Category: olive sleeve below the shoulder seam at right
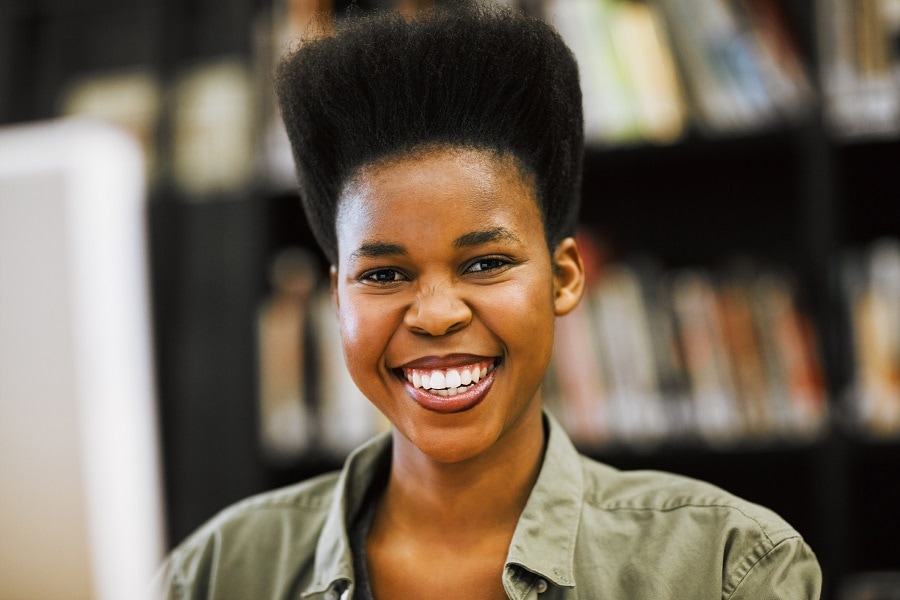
787,570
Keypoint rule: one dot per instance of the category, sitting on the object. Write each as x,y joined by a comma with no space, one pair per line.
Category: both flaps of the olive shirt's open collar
543,542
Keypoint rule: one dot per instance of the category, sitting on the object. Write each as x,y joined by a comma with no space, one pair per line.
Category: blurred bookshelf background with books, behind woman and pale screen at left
741,218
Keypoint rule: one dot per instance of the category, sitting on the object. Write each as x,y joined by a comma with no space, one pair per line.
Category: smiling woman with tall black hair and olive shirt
443,185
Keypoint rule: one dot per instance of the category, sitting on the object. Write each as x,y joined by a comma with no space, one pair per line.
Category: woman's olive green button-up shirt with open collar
587,531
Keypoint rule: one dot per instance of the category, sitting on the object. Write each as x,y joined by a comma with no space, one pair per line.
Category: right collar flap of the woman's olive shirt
544,540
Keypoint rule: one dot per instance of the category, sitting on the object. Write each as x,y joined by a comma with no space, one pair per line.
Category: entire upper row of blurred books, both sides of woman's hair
651,70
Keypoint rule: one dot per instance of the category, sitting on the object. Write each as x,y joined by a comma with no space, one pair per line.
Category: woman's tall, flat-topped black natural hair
383,85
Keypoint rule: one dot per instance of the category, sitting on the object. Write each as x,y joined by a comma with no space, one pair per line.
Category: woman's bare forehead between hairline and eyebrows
430,187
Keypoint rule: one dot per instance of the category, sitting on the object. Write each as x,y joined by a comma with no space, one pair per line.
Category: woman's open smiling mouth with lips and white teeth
451,389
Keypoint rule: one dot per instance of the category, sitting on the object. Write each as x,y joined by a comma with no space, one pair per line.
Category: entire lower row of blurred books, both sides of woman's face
652,355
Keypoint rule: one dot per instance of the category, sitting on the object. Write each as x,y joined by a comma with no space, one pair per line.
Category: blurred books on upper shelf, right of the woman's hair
653,68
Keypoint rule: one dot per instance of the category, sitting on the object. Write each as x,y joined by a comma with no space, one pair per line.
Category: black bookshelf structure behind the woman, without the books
797,193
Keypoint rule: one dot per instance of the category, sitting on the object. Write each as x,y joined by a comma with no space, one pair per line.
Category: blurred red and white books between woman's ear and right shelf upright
655,355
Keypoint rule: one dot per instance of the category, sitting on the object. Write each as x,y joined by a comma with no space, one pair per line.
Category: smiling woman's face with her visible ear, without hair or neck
447,295
